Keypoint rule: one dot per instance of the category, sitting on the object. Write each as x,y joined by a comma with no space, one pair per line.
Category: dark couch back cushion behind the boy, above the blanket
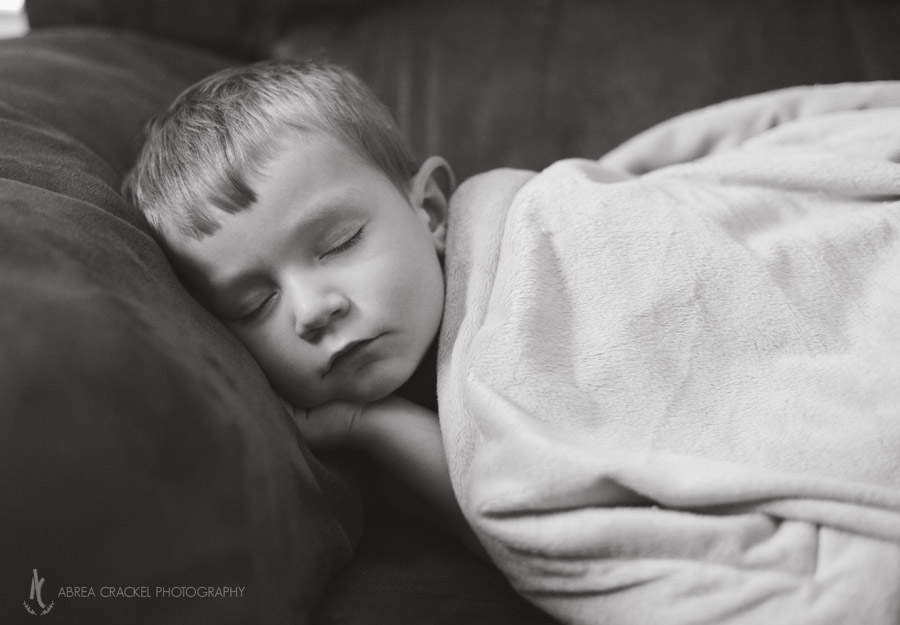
522,83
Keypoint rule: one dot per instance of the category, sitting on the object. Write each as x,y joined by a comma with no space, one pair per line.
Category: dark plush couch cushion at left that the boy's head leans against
140,445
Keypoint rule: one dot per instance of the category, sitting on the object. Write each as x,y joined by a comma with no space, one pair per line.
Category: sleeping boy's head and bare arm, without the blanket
292,209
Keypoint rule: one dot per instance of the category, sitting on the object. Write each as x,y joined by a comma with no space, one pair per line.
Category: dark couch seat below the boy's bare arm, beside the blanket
408,571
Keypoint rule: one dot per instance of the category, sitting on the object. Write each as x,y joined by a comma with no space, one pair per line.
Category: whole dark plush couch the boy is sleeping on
144,456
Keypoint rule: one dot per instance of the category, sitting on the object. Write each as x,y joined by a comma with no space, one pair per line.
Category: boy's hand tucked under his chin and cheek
330,426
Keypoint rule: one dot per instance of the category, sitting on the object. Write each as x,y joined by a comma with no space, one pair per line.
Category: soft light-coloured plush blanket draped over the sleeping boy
674,397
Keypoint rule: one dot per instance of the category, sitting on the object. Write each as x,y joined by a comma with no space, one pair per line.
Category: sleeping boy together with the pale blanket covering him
691,390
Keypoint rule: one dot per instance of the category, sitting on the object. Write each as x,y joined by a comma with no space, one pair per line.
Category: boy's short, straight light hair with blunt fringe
198,155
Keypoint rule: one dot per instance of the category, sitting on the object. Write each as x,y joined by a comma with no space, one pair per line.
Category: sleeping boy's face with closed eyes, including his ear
332,279
